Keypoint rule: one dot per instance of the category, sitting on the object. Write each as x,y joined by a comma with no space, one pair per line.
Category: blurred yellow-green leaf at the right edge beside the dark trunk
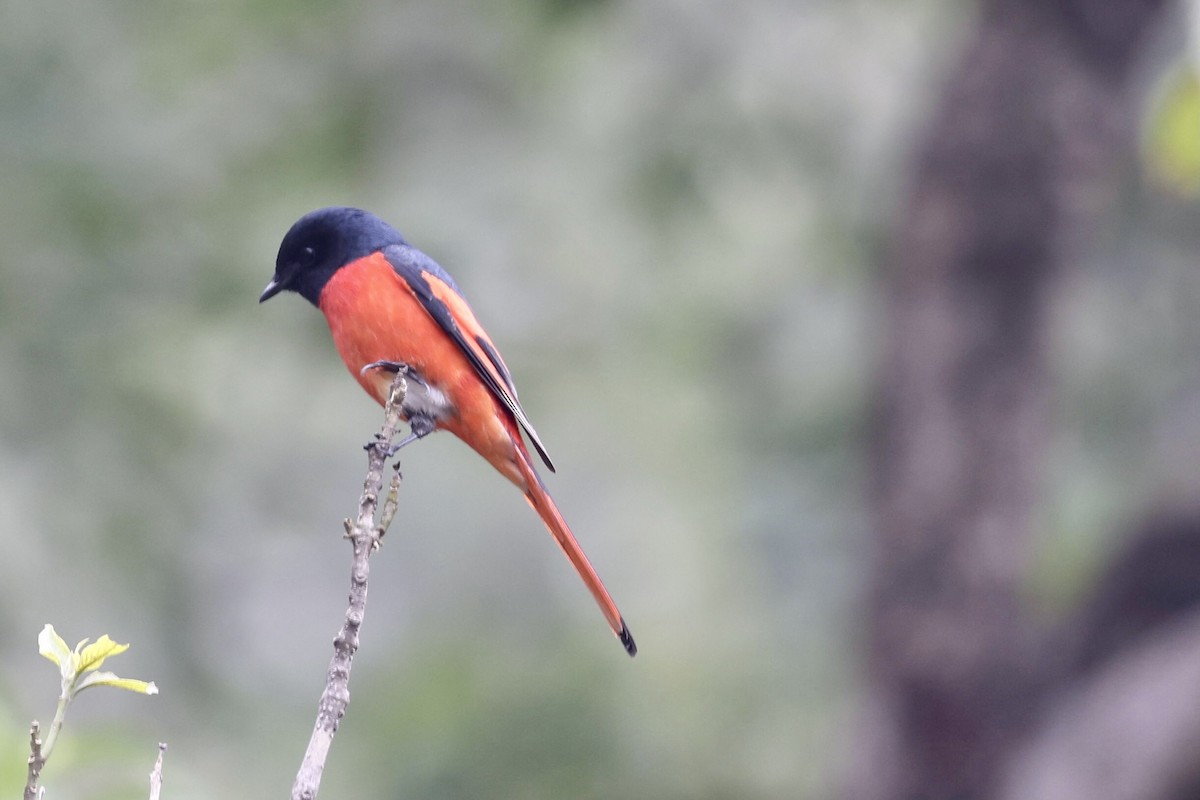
1173,136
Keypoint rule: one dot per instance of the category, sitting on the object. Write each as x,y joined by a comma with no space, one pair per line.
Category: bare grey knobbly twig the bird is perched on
365,534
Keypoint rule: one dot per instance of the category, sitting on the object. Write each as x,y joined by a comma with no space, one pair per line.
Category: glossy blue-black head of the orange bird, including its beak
322,243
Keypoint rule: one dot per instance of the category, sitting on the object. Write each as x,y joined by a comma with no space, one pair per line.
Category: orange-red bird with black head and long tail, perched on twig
391,308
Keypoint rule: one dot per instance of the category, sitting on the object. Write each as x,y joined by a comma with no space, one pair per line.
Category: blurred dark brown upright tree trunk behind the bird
1012,170
